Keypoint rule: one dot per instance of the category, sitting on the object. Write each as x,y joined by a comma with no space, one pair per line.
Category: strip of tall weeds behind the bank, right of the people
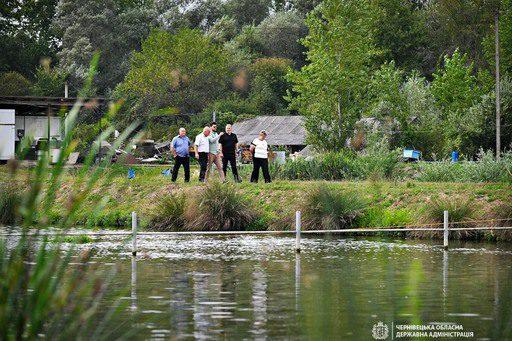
388,165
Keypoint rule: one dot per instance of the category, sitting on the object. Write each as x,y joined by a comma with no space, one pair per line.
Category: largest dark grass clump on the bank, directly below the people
220,207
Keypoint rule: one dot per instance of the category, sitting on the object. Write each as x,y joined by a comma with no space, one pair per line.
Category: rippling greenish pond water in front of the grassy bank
256,287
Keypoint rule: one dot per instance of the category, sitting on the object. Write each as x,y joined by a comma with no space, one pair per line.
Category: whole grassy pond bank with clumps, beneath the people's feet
327,204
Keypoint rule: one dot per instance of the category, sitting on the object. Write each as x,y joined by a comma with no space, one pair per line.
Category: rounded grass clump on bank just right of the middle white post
326,208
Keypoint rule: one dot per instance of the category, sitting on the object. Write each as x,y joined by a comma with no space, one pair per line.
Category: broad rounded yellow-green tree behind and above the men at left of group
174,74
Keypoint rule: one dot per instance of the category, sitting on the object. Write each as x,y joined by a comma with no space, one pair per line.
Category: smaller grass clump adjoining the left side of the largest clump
169,213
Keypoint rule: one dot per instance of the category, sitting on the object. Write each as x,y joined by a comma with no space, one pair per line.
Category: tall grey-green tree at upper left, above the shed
112,28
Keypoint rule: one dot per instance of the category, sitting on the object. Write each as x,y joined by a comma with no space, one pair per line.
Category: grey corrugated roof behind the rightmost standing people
281,130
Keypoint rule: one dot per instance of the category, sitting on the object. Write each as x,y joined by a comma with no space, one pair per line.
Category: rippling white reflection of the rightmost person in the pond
259,302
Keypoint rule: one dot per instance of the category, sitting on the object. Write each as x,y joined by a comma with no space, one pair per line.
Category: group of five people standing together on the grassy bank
220,149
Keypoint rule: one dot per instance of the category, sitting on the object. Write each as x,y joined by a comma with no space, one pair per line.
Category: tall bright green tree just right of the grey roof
329,90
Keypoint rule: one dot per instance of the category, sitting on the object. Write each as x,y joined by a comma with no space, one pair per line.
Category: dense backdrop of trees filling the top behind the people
417,74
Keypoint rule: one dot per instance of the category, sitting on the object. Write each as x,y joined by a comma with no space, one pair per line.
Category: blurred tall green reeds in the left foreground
41,295
